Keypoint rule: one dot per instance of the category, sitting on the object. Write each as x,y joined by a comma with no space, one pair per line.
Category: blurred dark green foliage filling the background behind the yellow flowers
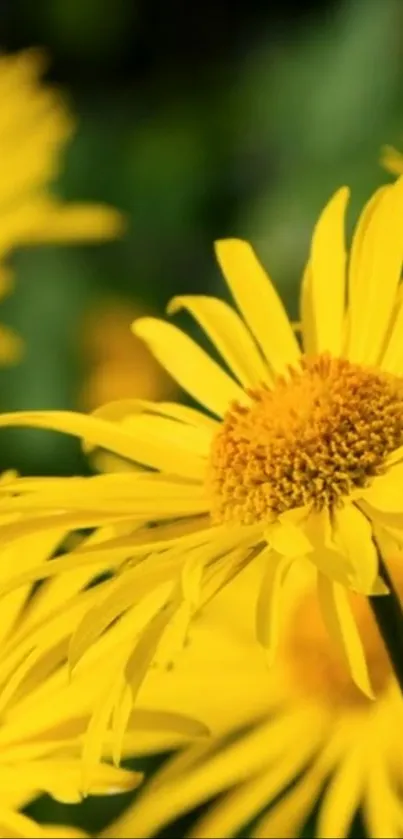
251,142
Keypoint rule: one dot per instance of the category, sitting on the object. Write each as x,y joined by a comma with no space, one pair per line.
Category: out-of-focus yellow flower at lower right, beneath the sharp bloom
288,739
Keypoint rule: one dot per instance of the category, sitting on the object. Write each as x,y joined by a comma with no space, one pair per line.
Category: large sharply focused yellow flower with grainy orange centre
299,452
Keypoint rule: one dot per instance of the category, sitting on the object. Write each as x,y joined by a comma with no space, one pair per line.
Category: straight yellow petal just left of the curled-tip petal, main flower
189,365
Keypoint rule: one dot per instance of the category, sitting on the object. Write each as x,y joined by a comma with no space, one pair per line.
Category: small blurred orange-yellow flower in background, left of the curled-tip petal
116,366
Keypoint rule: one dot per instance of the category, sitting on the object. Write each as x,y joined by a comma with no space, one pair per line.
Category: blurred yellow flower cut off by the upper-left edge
35,126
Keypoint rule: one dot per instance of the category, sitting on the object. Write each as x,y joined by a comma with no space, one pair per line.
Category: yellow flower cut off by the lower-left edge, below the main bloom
43,715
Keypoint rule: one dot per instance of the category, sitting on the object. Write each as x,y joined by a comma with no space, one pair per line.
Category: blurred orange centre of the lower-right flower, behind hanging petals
315,665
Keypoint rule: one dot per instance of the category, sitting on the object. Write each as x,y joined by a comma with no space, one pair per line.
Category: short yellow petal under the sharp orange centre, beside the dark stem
353,534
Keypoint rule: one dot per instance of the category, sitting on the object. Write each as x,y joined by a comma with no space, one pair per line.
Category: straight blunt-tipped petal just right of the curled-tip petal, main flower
258,302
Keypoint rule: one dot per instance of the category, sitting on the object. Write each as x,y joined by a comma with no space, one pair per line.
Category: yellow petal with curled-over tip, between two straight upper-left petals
229,334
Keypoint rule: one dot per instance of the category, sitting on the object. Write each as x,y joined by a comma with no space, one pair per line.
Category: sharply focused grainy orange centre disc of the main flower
318,434
